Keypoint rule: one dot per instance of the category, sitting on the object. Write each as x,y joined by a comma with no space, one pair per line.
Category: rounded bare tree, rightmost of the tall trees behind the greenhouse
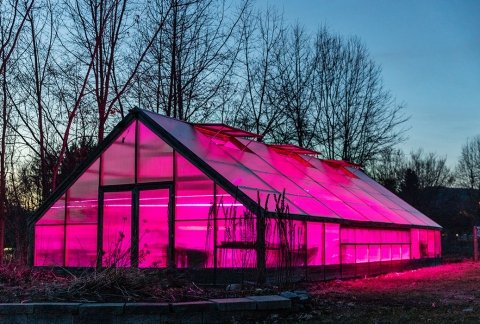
358,118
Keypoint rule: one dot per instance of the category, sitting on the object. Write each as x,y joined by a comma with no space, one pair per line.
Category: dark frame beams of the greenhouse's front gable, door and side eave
178,148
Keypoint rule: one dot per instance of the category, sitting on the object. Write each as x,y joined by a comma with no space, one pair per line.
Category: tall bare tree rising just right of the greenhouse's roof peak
191,59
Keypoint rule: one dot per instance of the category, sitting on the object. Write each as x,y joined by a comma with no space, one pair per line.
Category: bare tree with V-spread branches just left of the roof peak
105,30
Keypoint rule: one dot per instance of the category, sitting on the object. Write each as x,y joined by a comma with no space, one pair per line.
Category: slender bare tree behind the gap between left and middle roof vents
255,106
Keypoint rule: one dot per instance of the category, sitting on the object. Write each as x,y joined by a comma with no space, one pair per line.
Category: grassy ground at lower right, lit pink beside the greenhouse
442,294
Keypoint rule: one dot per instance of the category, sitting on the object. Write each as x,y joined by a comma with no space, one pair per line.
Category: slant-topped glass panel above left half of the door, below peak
118,161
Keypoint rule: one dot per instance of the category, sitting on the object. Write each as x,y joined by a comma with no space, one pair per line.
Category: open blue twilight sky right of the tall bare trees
429,51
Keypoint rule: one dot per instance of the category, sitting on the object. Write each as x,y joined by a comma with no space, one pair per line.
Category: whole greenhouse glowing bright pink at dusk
163,193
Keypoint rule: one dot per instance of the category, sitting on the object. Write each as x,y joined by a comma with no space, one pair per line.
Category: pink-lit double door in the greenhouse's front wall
135,227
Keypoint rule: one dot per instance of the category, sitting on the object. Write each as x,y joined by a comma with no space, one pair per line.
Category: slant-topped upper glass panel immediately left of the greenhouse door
82,204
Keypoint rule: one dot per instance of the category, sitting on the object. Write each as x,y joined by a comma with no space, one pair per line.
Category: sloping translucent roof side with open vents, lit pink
313,187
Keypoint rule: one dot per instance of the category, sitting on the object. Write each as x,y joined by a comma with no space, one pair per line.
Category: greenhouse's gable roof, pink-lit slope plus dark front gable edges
333,191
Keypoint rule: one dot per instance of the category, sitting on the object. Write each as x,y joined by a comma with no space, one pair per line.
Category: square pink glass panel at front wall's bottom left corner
49,240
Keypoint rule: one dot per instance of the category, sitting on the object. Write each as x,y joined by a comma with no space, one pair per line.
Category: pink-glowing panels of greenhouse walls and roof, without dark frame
313,188
